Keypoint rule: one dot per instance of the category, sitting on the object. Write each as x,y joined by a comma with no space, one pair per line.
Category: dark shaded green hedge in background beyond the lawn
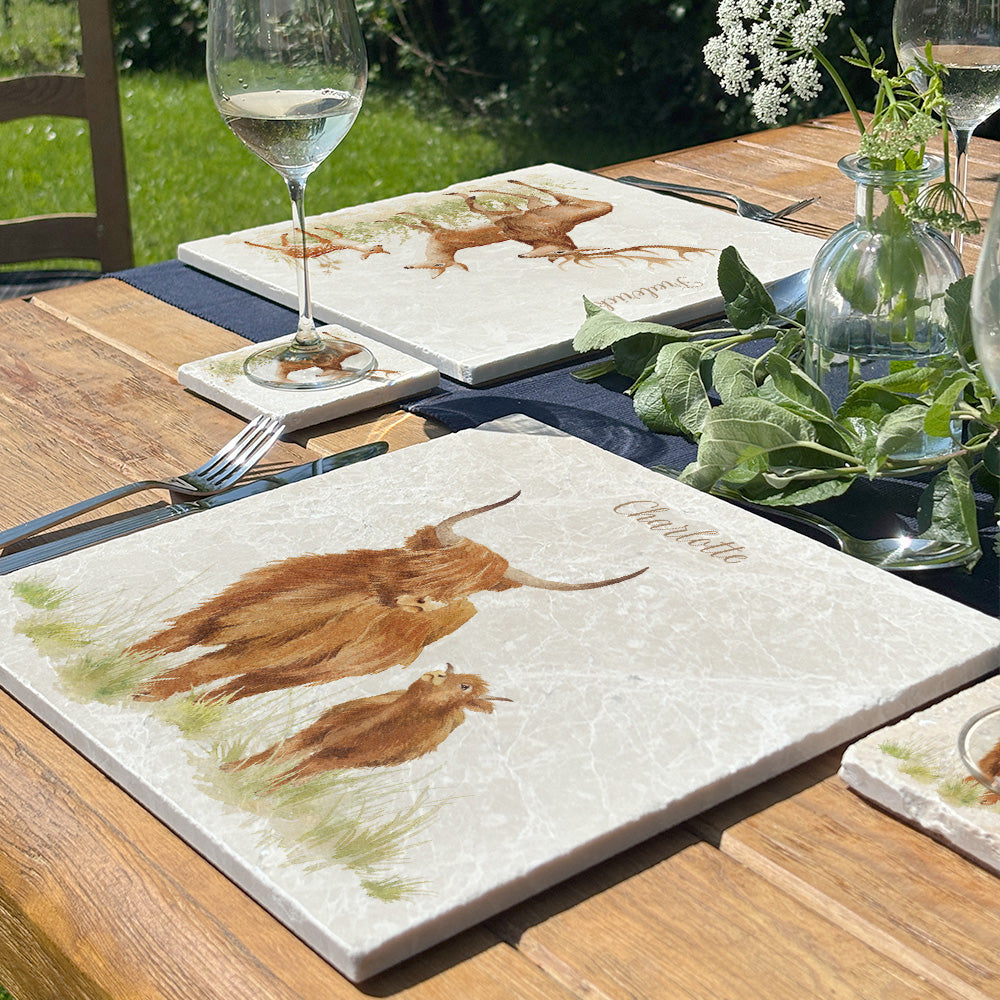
618,66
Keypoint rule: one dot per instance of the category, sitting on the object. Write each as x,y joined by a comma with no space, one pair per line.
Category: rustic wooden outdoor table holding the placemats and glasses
798,889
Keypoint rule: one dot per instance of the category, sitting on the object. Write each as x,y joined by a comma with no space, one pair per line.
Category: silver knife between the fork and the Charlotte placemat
161,515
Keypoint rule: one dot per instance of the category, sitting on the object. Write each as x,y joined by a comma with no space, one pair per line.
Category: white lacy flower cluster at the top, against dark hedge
775,39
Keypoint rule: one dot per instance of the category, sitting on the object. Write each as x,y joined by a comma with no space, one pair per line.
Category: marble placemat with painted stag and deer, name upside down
487,278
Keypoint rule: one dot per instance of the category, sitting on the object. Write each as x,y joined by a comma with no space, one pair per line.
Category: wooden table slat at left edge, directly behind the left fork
104,421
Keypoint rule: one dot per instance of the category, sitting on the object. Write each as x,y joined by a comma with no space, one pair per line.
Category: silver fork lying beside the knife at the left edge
227,465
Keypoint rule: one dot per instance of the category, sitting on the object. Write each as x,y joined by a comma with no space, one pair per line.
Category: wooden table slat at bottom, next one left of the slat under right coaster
726,930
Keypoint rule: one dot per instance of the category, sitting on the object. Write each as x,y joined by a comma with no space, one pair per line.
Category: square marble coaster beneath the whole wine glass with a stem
220,378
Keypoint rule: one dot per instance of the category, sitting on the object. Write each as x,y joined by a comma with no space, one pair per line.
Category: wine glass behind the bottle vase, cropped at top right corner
965,38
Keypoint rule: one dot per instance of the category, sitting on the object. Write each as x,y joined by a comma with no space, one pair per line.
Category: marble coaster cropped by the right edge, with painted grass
913,770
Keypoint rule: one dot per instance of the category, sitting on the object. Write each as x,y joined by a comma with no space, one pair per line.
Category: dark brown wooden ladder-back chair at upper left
104,236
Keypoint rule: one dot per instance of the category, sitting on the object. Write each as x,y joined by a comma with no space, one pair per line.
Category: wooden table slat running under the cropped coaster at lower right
890,885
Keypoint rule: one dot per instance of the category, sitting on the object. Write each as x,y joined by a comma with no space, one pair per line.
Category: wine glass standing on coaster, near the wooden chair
288,78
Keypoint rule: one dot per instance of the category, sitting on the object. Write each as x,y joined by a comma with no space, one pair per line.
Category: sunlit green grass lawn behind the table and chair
189,177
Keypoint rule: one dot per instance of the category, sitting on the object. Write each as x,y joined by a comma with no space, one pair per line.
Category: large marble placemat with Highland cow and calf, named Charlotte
371,699
